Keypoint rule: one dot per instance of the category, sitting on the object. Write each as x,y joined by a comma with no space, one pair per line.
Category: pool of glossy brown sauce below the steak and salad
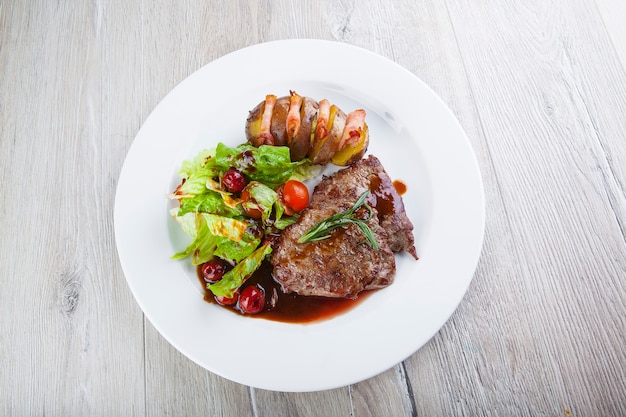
289,308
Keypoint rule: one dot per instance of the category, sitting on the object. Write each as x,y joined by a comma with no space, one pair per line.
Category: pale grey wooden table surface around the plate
538,86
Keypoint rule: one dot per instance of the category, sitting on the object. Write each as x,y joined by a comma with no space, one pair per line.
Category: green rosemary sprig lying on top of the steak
322,229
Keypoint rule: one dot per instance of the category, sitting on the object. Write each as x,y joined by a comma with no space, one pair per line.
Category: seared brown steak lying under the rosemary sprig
342,266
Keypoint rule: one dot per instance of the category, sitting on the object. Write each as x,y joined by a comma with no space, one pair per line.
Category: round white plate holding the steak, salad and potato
417,139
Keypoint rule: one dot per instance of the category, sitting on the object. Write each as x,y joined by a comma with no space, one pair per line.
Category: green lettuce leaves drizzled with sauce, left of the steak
218,221
